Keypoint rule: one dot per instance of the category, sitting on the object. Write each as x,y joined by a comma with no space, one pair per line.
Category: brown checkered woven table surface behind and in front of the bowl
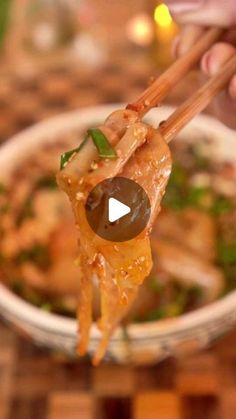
35,384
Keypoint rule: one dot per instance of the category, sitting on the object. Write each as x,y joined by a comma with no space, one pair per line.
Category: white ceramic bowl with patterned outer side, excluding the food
146,343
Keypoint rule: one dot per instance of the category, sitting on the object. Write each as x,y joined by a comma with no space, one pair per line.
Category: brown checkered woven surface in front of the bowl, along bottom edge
35,384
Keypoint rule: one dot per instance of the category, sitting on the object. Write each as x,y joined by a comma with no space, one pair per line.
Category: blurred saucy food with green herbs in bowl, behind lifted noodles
205,187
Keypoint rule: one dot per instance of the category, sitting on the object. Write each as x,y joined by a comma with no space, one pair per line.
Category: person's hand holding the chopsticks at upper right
194,16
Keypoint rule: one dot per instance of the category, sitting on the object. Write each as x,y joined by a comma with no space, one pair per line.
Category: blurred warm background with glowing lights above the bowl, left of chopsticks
58,55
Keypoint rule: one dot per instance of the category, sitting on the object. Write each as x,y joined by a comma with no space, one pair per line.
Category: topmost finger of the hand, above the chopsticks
203,12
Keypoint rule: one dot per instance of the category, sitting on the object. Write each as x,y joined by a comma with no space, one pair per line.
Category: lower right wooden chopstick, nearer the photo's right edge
197,102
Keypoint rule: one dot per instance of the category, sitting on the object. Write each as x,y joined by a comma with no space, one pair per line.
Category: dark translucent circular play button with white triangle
118,209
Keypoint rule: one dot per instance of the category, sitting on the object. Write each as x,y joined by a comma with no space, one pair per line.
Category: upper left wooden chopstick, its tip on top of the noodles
153,95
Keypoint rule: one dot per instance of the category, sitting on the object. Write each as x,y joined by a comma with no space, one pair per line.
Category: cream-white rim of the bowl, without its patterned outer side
45,132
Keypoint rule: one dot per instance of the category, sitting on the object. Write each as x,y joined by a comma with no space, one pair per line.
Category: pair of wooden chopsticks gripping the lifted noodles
153,95
